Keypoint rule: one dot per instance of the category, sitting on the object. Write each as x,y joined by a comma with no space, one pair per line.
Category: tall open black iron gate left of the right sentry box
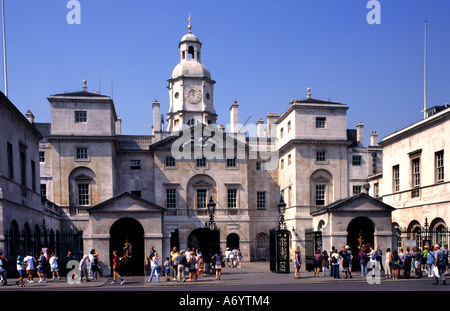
279,251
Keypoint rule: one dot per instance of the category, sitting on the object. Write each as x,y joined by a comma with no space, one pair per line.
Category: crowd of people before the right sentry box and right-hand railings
433,262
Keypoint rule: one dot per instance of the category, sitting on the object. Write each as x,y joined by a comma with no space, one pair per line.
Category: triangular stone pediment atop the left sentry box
126,203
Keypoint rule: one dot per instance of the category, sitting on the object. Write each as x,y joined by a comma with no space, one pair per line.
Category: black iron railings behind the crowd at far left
59,243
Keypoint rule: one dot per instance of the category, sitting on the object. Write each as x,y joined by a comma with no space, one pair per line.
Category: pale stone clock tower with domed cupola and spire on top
190,88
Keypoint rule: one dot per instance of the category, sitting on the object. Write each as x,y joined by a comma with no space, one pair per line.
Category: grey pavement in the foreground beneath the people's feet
251,273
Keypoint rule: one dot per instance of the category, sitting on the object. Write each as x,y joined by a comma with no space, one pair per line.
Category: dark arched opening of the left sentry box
128,231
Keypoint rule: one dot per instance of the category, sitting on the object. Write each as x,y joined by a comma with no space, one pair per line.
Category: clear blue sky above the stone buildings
260,53
